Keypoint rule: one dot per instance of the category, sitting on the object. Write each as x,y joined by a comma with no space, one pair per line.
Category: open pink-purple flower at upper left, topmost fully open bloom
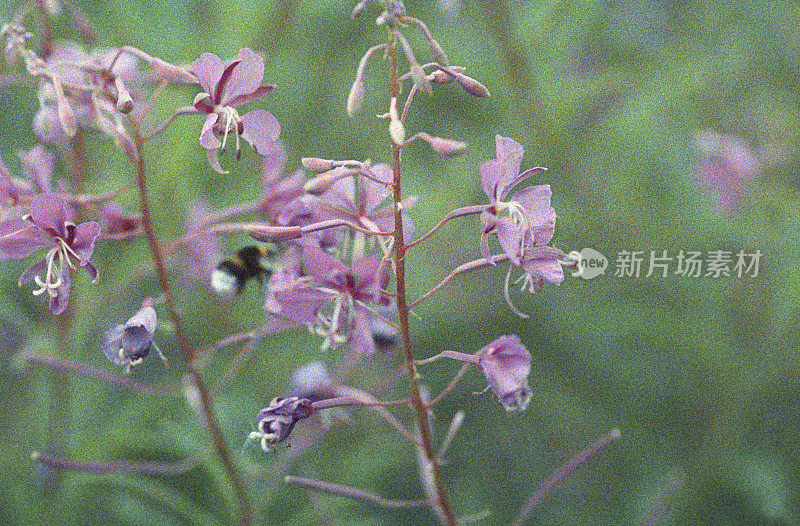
227,86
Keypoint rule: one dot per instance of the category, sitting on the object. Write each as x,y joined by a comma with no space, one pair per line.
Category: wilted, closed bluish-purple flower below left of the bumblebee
129,344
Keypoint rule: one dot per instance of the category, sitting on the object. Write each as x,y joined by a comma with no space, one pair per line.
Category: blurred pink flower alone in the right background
727,169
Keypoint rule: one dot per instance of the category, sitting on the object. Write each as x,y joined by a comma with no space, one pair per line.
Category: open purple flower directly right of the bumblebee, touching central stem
301,298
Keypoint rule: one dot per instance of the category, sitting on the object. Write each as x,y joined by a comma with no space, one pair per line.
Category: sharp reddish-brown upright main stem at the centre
420,409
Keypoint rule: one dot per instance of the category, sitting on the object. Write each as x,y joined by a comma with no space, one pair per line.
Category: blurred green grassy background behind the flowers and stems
700,374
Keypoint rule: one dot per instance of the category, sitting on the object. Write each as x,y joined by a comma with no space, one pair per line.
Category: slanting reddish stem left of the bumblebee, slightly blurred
206,403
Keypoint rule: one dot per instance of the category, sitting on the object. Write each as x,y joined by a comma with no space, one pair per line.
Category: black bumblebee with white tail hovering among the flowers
233,272
